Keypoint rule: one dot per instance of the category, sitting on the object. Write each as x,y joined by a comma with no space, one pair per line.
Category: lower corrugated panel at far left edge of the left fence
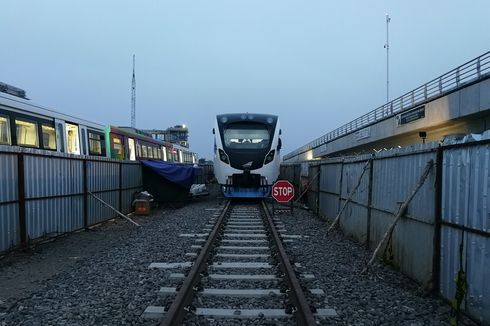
9,226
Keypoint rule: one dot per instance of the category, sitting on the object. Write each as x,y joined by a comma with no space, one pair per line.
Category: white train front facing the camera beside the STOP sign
246,154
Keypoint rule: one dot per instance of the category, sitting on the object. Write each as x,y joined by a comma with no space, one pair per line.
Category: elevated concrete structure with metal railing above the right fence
450,105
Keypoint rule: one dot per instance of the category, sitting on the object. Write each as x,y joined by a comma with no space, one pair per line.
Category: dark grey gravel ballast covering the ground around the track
101,277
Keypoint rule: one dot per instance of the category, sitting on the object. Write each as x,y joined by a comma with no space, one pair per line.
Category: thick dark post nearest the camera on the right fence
436,262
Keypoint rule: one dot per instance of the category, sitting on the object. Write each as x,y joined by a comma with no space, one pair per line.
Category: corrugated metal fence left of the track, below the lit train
45,194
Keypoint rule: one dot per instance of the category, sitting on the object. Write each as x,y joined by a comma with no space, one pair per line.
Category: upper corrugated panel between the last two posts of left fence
102,176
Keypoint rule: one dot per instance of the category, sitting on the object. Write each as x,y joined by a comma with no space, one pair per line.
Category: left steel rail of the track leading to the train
177,312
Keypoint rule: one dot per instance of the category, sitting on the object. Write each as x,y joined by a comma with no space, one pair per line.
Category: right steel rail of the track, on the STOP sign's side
303,314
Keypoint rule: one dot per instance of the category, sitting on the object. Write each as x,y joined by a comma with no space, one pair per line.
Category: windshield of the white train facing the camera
246,137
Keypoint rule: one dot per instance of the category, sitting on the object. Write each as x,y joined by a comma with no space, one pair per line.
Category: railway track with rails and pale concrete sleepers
241,272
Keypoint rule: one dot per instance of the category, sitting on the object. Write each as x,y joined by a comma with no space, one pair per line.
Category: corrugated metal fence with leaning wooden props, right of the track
450,210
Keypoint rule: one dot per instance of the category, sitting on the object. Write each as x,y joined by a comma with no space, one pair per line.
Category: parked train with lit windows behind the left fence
25,124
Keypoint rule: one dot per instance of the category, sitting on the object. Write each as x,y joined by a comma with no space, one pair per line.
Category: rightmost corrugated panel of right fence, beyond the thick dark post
466,210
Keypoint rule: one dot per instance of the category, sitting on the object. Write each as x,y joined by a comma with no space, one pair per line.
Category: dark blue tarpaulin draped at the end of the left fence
183,175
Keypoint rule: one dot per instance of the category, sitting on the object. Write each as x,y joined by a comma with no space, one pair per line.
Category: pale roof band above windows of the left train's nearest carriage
27,107
